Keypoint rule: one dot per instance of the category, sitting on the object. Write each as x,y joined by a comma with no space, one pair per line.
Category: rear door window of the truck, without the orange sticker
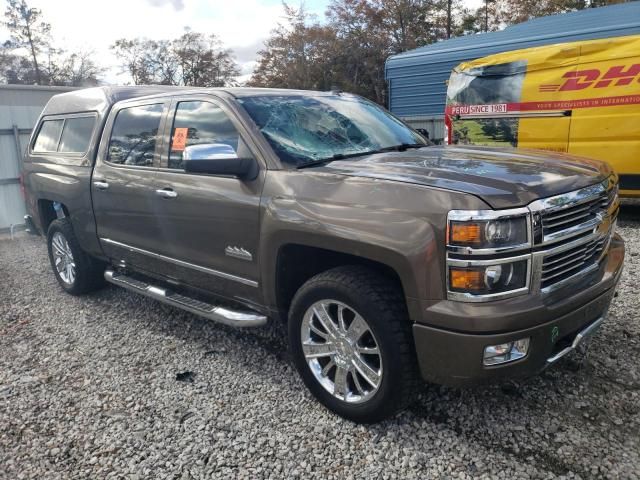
134,135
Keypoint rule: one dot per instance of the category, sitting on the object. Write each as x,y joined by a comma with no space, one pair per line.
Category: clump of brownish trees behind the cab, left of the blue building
350,48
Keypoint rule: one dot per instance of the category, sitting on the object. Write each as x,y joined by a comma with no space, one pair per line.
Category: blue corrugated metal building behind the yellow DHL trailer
417,78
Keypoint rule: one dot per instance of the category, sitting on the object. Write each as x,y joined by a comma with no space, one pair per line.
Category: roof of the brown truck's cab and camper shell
100,99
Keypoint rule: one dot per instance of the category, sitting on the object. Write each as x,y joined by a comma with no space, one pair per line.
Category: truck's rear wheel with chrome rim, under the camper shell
76,271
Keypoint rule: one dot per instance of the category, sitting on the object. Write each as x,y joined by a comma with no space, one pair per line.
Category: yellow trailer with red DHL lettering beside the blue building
581,97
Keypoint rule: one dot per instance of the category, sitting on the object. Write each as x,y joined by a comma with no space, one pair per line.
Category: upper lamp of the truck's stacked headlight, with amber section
494,233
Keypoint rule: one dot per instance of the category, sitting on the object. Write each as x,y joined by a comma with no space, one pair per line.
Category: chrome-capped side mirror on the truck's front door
218,159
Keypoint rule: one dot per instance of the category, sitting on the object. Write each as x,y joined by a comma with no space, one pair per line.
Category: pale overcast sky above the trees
93,25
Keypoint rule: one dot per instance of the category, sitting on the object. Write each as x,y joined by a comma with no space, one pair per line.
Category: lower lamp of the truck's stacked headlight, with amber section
488,279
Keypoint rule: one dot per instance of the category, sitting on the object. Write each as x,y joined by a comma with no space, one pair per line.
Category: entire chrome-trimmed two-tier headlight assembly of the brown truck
488,254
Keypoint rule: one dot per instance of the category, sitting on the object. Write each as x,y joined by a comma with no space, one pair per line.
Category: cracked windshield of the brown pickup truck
306,129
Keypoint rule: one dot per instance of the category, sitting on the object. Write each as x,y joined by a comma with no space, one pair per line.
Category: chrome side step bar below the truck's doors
218,313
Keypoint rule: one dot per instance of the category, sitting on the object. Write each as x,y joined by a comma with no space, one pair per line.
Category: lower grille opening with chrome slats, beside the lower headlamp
557,267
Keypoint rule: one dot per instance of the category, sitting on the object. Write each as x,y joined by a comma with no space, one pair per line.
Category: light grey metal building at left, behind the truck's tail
20,106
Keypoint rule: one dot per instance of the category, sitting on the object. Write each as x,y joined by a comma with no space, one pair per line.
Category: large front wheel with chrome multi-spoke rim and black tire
351,341
